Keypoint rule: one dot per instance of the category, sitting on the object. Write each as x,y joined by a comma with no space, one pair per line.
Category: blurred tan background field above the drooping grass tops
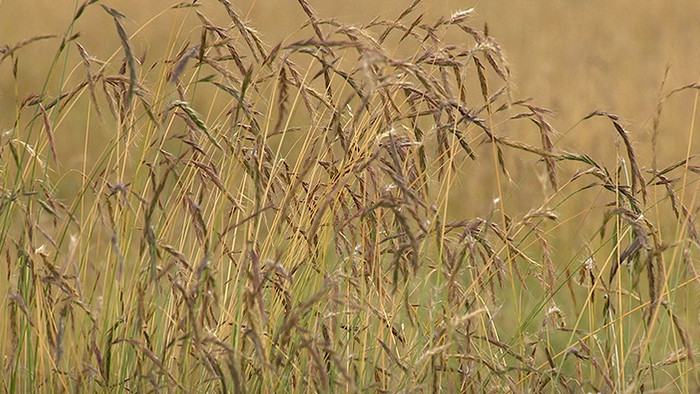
572,57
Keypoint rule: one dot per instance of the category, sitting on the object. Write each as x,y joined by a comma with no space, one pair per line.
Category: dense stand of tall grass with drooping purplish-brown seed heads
365,209
